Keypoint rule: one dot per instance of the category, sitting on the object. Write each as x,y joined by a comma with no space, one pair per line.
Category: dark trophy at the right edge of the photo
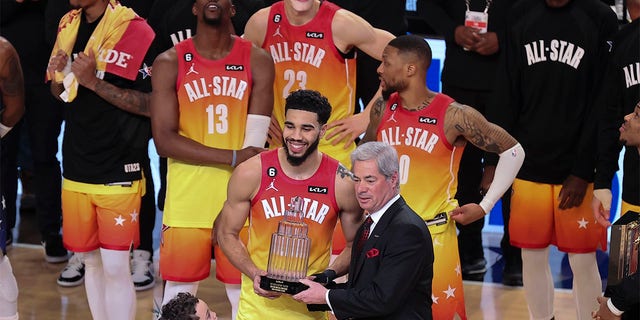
623,254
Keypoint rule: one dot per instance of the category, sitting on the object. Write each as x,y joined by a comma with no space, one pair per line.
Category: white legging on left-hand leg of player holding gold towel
94,284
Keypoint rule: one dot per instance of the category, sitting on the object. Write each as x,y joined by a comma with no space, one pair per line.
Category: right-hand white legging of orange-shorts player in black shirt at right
587,285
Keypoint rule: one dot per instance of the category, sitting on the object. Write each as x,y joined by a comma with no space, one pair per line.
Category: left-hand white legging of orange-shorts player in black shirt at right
538,283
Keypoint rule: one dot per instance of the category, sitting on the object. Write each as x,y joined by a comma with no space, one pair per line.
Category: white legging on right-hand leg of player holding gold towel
120,295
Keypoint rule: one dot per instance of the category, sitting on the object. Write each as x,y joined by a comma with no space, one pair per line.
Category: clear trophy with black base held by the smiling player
289,252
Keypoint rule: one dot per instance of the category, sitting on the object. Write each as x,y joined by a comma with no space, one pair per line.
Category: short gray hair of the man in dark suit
385,155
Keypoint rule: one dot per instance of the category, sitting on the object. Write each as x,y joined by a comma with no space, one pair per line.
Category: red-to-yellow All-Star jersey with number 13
213,98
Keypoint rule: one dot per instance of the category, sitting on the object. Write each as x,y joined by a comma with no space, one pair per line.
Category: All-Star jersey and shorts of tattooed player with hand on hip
428,182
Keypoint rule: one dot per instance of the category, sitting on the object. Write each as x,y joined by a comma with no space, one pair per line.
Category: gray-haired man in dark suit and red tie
391,260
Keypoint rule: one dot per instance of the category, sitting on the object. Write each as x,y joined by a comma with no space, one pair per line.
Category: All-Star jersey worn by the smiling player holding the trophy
267,208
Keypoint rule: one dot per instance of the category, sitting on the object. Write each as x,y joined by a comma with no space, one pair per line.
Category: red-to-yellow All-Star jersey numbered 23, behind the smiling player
306,57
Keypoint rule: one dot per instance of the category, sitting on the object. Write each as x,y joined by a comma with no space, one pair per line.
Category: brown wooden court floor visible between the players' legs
42,299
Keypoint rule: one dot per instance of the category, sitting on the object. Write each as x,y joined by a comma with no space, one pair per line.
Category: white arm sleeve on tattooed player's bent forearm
506,170
